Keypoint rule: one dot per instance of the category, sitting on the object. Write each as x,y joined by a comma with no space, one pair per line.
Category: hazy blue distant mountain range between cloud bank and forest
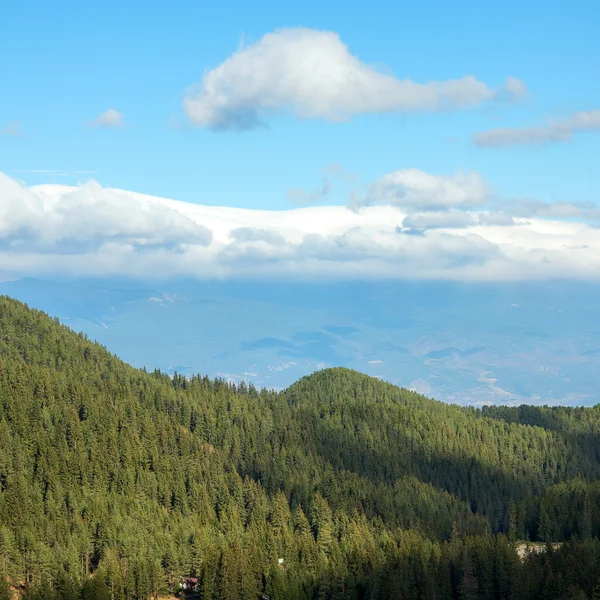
466,343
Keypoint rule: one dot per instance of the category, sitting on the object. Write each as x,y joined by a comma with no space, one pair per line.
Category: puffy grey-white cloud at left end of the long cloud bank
75,220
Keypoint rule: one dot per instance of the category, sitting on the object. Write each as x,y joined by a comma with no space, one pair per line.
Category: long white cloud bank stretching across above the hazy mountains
90,230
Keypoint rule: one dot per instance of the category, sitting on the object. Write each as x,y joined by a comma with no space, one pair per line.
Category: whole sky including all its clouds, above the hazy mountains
478,124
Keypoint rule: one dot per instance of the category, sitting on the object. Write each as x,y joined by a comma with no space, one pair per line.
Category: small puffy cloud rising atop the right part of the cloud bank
414,189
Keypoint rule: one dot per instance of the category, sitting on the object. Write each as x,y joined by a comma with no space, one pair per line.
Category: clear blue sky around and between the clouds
65,63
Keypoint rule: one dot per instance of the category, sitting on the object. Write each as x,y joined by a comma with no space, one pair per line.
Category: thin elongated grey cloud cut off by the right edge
558,130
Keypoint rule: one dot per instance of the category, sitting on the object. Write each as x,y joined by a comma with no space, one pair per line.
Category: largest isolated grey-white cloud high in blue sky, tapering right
313,74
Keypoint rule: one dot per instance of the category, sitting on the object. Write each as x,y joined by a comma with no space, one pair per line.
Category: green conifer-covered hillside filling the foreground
118,482
